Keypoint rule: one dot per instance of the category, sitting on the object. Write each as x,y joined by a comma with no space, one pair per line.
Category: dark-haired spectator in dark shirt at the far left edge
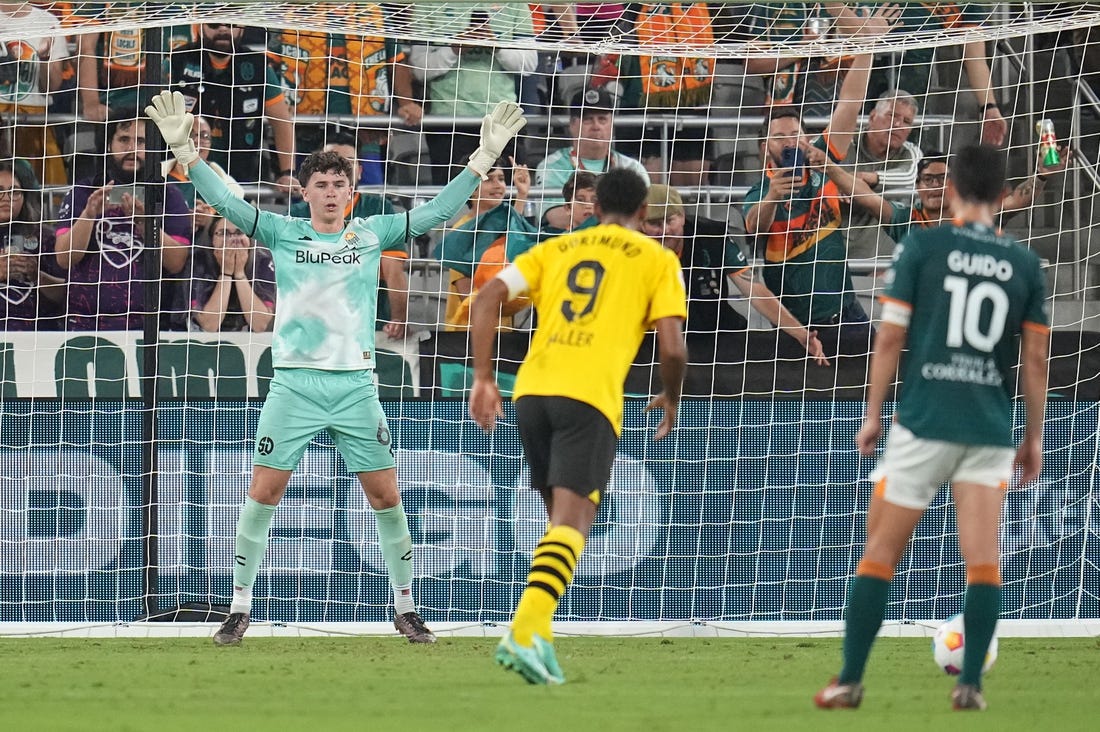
31,297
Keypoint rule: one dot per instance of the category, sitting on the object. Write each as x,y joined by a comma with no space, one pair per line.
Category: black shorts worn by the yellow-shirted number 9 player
568,444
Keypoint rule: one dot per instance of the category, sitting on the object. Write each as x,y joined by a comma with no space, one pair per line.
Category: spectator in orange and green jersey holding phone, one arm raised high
796,213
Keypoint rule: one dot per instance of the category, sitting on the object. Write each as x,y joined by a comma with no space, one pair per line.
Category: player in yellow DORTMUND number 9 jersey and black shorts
598,291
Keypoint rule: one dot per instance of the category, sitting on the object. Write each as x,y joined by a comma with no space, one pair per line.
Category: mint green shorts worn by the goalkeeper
304,402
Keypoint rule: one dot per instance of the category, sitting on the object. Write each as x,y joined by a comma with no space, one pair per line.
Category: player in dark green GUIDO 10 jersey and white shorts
967,303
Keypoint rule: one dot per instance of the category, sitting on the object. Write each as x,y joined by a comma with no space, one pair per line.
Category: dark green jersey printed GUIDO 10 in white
972,291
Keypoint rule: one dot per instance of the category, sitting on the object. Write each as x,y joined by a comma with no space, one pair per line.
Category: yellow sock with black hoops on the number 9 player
552,572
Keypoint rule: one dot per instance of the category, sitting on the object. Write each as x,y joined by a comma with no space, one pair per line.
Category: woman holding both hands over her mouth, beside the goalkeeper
235,282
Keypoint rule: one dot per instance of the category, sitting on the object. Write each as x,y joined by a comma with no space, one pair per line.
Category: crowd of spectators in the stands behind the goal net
76,198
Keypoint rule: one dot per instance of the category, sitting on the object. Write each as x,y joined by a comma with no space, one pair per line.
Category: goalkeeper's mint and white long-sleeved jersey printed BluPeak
328,283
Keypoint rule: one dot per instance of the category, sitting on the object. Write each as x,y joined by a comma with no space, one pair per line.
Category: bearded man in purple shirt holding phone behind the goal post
100,237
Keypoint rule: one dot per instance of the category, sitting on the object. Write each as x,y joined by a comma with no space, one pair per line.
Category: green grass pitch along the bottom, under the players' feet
613,684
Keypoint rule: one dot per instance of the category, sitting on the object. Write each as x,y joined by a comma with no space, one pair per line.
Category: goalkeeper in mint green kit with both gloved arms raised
323,348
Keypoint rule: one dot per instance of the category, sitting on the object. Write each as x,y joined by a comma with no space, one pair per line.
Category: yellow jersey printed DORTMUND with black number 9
597,291
